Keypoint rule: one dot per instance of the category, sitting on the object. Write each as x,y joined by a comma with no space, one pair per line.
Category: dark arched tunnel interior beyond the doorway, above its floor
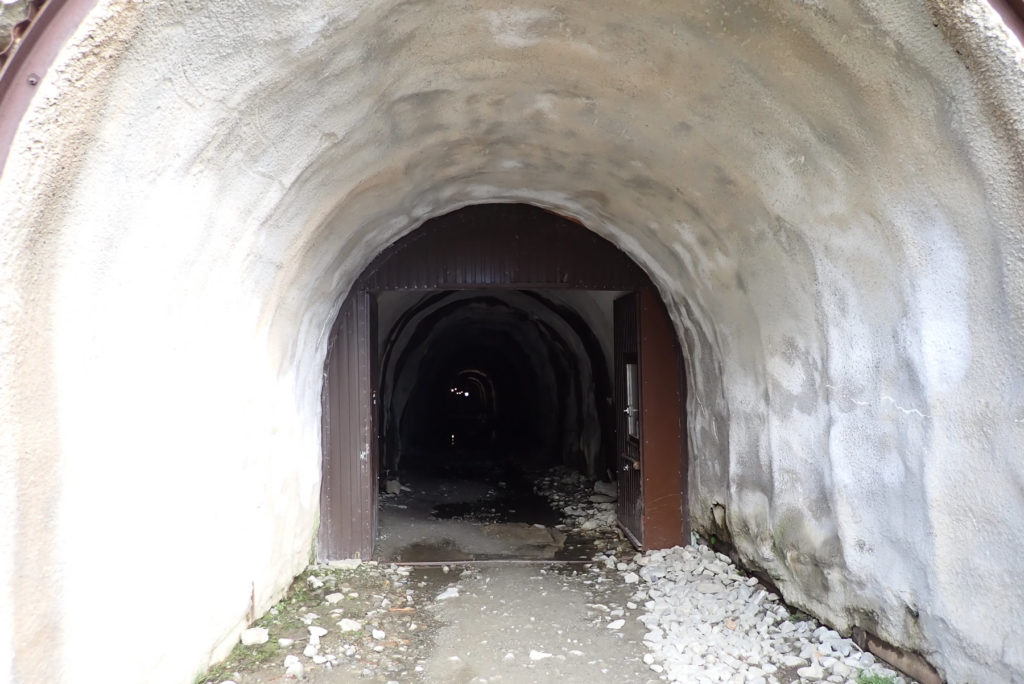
495,373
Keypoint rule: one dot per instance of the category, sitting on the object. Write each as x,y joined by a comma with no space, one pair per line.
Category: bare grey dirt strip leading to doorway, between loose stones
523,625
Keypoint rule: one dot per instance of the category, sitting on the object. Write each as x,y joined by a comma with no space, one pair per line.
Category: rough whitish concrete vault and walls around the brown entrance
827,195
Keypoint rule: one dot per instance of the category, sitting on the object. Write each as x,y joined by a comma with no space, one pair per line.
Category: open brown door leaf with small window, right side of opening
628,423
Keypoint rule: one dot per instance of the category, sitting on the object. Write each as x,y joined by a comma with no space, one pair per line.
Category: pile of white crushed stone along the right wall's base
707,623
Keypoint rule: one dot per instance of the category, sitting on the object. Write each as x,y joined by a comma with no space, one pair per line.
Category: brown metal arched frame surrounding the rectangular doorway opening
492,247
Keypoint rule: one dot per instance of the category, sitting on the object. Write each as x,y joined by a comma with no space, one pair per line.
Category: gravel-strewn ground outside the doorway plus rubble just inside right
685,615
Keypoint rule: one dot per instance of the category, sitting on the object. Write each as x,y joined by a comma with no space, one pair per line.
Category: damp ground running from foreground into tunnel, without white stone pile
478,579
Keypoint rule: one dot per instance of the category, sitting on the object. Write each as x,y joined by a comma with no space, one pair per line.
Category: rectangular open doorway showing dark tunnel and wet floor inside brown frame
484,393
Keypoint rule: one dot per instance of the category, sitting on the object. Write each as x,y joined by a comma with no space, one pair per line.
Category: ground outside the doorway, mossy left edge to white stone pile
490,623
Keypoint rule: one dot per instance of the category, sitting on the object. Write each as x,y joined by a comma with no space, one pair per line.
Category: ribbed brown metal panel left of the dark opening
349,488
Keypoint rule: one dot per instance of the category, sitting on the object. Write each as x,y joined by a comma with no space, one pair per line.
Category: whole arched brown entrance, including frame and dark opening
480,355
